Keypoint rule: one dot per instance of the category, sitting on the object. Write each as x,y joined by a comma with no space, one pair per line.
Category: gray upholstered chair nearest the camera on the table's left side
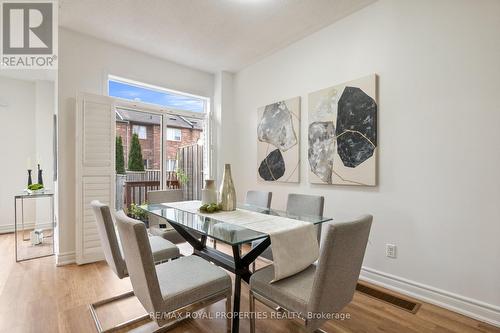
188,283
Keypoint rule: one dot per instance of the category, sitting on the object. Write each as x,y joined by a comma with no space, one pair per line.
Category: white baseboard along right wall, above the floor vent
479,310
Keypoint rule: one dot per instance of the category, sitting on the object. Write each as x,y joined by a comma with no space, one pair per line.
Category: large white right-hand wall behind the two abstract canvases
439,159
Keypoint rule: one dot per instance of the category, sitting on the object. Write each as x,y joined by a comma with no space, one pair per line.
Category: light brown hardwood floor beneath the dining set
37,296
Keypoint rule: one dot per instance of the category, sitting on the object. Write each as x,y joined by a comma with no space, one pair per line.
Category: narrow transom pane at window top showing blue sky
140,92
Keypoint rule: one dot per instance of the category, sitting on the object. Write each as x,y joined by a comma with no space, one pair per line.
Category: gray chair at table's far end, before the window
166,231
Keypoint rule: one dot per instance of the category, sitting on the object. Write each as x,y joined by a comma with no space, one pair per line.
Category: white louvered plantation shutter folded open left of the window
95,169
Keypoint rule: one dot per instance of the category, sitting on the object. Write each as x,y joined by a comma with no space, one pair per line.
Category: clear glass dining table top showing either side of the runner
222,231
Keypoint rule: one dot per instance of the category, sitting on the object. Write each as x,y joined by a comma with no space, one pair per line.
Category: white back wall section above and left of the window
85,63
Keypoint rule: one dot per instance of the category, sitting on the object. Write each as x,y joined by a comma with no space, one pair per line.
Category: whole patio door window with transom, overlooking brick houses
176,128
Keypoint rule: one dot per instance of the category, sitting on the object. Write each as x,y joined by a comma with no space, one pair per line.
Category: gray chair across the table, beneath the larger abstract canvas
299,205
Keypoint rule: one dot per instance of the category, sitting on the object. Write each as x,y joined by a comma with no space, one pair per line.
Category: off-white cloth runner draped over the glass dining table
295,243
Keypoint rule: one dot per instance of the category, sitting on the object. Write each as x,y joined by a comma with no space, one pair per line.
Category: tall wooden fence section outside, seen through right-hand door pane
191,163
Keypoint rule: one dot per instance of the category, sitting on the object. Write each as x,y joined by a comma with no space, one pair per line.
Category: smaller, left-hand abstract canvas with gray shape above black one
278,141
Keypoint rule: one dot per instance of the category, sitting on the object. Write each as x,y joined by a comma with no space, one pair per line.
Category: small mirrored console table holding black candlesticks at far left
34,239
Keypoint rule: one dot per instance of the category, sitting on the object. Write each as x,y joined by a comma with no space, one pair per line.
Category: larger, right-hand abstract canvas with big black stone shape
342,134
